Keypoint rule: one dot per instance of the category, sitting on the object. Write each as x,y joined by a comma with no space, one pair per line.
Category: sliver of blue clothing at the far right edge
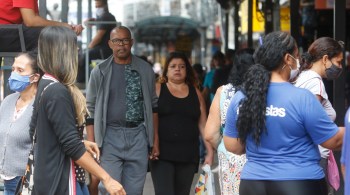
345,156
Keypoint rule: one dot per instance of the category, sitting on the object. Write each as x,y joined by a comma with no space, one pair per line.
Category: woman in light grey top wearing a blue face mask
15,115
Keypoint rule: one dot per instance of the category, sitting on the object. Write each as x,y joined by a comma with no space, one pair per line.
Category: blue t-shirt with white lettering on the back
296,123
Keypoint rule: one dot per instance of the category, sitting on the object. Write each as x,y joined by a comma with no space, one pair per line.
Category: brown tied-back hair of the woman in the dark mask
320,47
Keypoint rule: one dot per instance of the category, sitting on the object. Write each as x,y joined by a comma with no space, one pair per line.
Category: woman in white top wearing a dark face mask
322,60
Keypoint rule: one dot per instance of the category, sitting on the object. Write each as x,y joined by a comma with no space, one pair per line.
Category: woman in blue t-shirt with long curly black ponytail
279,125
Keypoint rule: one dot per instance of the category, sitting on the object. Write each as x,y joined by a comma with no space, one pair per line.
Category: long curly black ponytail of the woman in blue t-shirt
269,56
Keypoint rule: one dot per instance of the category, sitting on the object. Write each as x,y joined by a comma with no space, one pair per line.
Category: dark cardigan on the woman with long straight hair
57,142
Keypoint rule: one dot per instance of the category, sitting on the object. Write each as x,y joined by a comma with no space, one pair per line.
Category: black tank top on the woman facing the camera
178,126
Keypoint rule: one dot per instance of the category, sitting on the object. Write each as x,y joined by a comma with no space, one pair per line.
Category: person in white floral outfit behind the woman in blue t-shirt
230,165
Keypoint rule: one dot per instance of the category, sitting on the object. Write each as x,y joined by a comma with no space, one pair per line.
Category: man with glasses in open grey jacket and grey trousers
122,102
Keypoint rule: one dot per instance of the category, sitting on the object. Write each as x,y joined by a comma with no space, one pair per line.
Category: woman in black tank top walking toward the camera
181,111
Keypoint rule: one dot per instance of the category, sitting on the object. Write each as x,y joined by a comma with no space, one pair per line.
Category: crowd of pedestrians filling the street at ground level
267,142
